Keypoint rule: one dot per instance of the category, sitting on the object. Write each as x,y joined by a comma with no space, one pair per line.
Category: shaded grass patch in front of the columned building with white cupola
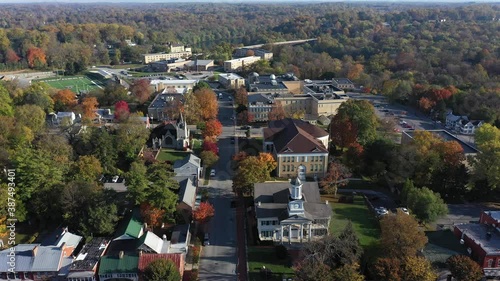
266,256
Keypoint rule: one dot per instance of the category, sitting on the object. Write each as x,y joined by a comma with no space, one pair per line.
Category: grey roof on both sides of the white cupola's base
274,198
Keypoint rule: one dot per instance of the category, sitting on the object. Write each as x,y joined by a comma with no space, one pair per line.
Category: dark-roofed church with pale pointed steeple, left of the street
171,134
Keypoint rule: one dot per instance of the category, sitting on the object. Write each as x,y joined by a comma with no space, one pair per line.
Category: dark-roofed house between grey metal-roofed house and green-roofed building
84,266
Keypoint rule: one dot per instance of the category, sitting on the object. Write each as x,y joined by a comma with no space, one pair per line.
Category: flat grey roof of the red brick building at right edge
478,233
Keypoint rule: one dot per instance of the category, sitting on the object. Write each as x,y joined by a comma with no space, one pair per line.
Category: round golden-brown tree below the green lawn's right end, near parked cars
406,241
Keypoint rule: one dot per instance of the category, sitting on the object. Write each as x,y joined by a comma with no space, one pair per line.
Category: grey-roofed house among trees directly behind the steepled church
164,103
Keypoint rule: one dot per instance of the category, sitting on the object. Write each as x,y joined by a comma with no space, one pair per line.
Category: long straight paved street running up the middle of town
219,260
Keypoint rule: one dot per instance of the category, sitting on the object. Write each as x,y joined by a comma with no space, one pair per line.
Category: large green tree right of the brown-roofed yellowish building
362,115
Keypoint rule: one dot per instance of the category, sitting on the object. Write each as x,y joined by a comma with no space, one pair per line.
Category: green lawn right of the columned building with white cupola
365,224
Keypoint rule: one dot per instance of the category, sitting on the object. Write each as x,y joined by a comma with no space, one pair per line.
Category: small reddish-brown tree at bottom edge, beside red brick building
464,268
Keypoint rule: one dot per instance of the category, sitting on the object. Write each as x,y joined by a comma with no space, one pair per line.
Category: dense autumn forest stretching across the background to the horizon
434,57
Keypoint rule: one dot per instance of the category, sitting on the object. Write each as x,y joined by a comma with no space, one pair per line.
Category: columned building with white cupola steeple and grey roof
290,211
